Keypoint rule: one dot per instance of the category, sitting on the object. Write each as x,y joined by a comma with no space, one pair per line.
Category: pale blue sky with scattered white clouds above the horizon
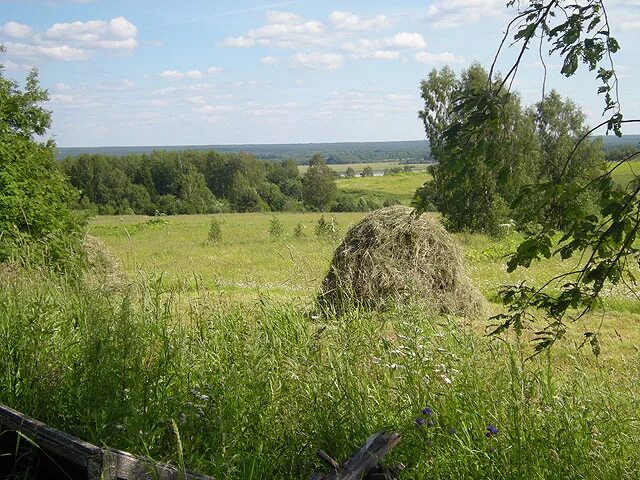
163,72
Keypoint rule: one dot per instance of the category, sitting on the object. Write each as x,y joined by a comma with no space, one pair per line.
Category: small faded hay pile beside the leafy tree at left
104,269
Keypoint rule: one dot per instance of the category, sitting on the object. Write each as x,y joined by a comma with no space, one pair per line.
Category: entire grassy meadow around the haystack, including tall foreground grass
210,356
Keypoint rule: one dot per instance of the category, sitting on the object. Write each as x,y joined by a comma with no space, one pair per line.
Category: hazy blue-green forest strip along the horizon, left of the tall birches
301,153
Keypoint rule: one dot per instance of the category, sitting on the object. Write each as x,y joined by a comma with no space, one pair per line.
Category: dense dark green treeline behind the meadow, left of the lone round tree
186,182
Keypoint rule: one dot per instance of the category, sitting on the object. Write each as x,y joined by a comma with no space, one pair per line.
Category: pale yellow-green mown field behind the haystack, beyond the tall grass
248,262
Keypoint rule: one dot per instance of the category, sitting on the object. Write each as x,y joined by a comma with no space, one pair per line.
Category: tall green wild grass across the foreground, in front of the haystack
254,391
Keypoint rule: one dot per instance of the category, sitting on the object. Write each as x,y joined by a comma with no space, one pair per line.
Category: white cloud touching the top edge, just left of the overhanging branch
454,13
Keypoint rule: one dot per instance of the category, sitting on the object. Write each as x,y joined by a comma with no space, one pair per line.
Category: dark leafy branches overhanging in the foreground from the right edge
601,244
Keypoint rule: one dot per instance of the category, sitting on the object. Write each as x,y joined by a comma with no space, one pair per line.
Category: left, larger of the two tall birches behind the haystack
477,178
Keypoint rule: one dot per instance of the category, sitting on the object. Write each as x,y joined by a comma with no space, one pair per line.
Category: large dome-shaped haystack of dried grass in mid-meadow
392,258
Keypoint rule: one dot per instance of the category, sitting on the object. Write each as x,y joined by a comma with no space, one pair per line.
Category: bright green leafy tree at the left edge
36,223
